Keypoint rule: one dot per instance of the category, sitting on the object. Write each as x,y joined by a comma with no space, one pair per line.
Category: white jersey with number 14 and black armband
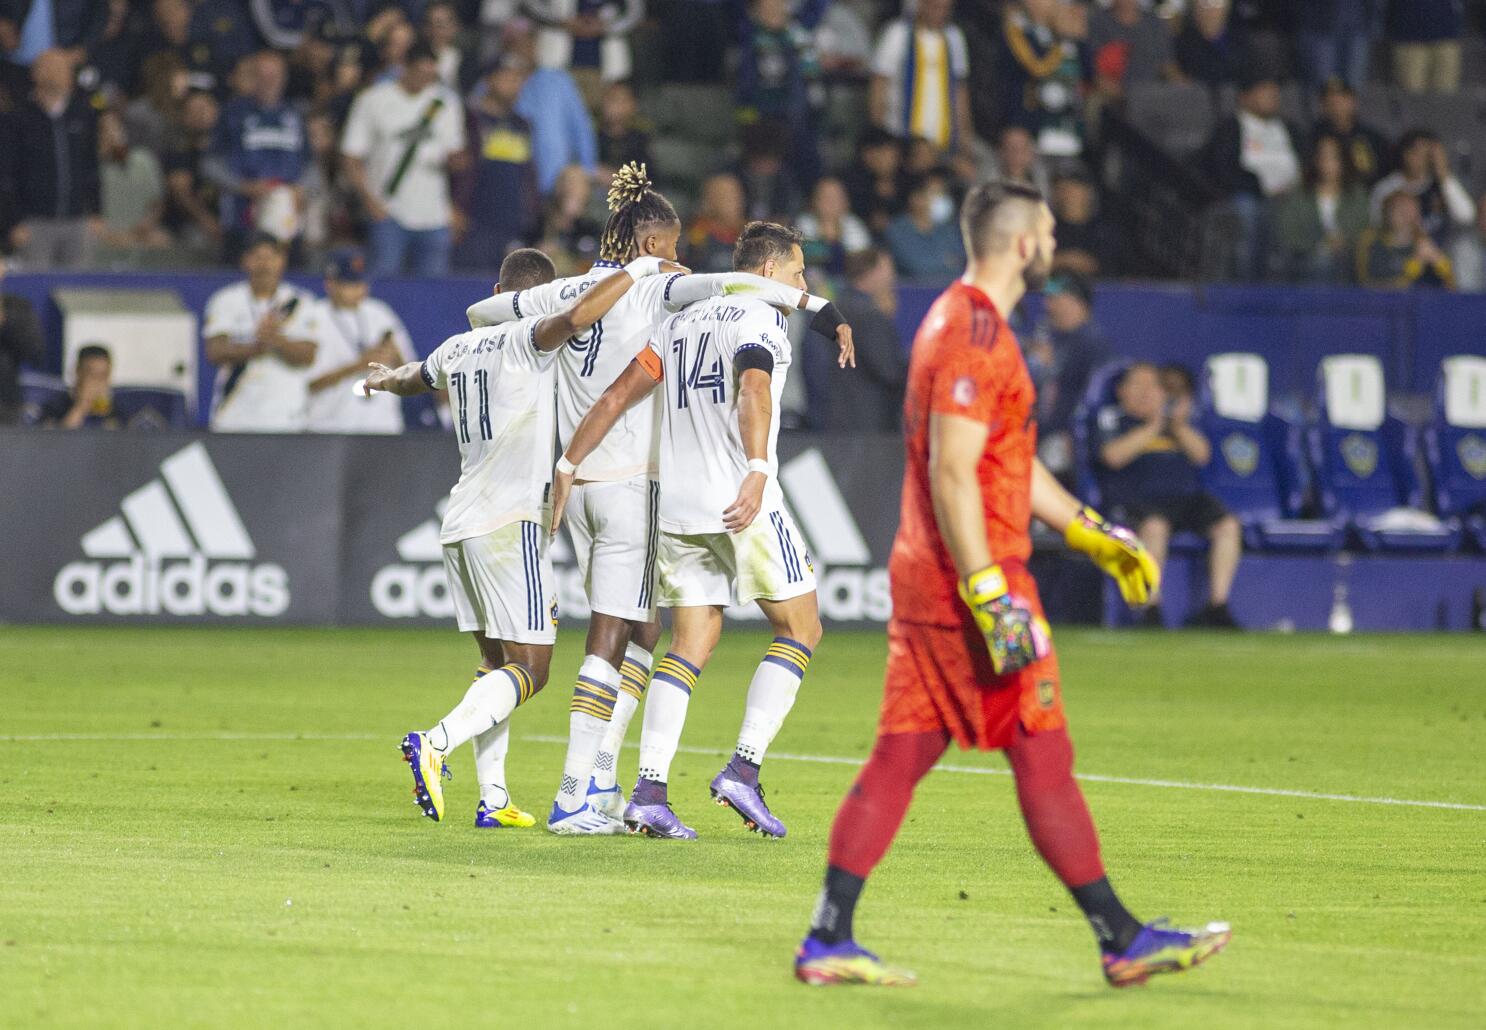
702,459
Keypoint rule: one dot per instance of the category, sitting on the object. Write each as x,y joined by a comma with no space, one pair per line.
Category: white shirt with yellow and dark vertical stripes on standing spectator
940,60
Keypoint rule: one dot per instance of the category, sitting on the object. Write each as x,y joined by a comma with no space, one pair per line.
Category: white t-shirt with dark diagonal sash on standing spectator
386,120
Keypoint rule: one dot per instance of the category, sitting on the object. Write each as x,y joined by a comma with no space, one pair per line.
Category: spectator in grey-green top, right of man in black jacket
1317,227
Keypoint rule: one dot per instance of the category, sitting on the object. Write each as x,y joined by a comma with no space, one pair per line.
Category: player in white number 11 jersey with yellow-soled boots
502,384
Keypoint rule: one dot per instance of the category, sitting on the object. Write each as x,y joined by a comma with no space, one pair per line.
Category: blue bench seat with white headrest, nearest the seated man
1256,459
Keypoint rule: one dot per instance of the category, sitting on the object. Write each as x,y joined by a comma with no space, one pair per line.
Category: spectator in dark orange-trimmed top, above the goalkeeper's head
1042,78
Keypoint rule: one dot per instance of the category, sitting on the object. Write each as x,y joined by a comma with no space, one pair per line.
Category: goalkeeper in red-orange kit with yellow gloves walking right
970,658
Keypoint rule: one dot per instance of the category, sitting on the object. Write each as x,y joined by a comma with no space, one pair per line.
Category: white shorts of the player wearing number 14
768,561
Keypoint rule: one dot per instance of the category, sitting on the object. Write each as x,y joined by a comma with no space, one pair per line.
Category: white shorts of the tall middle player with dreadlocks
614,531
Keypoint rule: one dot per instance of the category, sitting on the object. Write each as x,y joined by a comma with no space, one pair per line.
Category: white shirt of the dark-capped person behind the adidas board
345,335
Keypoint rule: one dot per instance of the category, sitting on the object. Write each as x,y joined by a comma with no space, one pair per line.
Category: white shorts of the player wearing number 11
503,585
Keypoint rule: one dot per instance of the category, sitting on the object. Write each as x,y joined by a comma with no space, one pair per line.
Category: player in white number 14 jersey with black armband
726,534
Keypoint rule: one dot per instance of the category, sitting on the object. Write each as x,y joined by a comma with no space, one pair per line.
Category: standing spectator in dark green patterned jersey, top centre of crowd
776,80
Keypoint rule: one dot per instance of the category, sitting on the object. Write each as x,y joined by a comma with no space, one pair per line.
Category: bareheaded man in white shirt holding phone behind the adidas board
261,334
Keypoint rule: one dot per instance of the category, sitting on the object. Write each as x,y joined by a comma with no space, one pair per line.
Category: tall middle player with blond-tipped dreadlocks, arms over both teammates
614,502
